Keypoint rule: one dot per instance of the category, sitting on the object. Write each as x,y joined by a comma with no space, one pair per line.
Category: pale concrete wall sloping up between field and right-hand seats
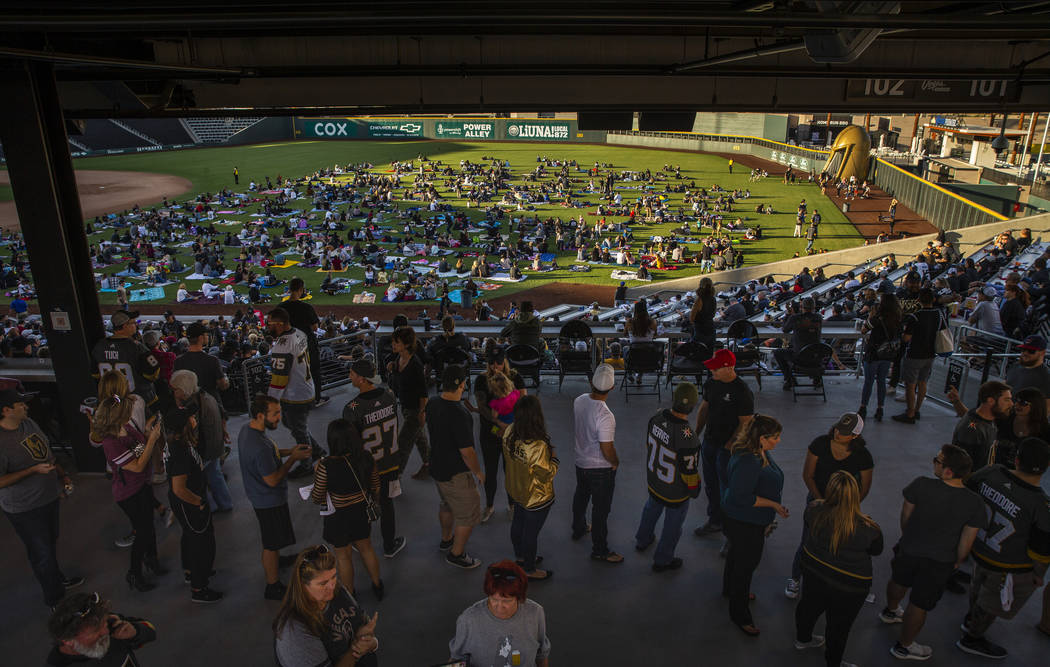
967,241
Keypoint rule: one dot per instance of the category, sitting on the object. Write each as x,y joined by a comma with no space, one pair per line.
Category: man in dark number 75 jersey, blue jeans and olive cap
673,476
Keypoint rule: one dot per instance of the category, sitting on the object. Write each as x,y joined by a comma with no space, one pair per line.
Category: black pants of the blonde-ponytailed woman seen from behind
841,610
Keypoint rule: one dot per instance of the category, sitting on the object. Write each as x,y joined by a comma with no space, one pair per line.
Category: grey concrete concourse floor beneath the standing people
597,614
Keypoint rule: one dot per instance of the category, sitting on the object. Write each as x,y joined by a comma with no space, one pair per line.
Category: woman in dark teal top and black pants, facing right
750,505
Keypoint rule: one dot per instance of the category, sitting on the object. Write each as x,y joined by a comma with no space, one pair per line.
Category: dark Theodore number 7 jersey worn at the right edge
1019,522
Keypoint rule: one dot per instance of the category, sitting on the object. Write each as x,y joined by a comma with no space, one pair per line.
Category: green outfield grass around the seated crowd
212,170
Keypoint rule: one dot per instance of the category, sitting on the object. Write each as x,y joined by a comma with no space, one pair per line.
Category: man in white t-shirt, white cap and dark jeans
597,463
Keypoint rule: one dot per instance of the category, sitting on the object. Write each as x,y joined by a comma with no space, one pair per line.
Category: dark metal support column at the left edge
35,142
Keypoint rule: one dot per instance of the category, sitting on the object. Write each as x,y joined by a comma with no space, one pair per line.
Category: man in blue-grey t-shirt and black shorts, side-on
266,485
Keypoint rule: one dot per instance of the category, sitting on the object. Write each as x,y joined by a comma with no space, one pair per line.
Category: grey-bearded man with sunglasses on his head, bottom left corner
87,634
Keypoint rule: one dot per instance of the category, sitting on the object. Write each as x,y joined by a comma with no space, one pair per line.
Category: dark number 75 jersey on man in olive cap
674,460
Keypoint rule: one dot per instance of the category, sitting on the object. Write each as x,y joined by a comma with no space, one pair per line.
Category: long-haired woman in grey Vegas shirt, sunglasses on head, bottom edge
314,605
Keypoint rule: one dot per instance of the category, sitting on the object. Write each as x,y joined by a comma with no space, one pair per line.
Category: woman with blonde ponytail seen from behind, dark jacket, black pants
836,566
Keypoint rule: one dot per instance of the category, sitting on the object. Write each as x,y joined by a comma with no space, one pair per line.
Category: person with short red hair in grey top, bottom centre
507,628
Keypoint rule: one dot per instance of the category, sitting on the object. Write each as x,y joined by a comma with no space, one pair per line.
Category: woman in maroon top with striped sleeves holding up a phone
129,451
